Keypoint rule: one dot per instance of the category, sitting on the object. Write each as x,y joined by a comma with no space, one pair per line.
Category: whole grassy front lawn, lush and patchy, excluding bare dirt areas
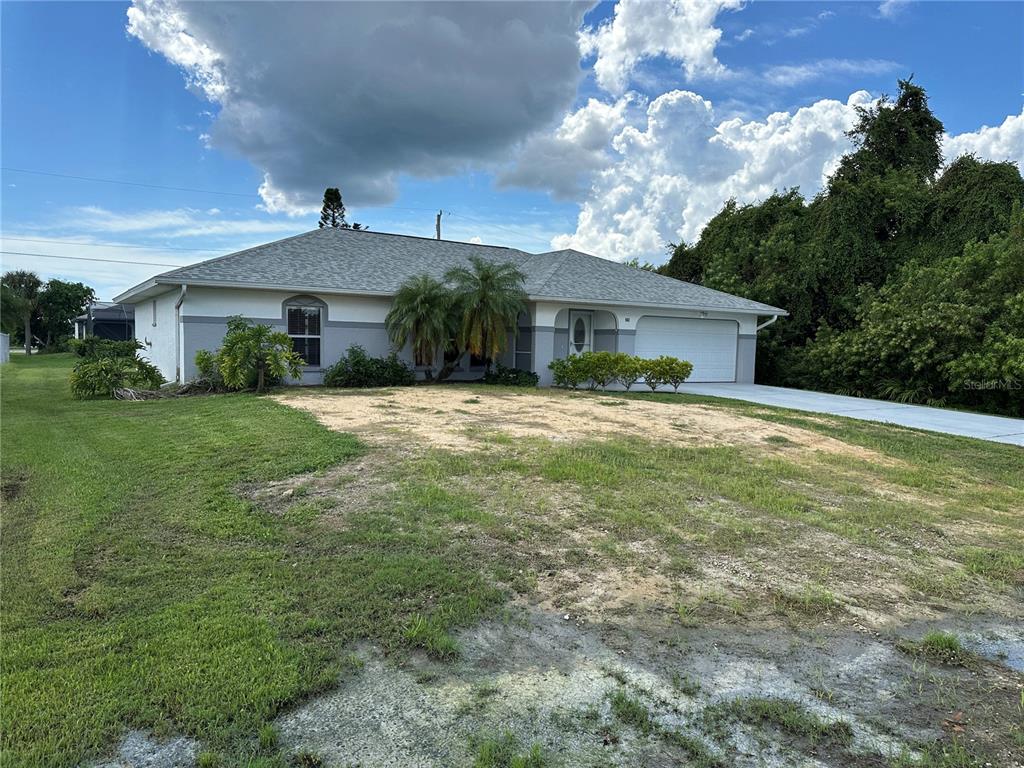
203,566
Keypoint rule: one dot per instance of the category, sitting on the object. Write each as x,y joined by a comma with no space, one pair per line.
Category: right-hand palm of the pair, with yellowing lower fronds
492,296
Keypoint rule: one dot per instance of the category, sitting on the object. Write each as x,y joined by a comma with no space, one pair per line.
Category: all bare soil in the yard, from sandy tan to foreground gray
735,626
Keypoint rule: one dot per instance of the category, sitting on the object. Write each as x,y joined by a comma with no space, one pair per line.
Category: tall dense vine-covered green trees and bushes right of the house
905,280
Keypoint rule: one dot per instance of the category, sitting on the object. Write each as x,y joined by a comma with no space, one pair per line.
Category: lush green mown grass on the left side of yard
142,591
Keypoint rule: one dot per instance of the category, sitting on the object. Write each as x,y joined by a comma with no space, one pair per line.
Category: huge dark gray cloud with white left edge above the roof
358,95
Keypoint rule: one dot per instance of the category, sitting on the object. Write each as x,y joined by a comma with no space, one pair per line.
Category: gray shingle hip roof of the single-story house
356,262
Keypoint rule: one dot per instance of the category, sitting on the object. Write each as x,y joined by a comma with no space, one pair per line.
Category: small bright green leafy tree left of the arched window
253,354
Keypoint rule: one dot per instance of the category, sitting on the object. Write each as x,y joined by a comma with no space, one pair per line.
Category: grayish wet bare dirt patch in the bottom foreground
561,685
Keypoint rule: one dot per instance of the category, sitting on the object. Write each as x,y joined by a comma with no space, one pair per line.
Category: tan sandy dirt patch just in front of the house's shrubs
446,417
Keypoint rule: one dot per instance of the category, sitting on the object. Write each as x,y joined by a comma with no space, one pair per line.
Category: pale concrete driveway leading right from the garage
995,429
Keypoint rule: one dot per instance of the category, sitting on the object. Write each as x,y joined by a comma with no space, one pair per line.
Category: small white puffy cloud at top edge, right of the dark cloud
680,30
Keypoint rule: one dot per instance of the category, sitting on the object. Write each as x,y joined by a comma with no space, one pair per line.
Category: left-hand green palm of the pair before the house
421,314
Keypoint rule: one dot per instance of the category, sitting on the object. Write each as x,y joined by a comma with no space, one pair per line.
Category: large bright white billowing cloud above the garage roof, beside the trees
673,173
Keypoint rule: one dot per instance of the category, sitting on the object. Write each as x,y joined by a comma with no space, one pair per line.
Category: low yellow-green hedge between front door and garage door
602,370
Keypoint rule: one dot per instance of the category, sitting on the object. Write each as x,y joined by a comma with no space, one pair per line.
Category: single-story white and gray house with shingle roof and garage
332,288
